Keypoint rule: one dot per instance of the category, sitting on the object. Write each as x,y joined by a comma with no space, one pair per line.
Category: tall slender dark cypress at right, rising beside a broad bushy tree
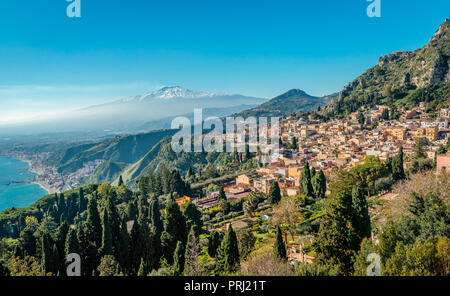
361,218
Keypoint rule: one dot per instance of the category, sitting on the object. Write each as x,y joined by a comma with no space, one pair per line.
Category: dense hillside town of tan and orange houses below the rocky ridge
340,144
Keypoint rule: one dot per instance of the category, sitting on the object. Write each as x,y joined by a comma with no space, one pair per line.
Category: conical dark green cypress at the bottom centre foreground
227,259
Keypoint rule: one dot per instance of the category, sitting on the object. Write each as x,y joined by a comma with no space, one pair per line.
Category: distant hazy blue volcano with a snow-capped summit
131,113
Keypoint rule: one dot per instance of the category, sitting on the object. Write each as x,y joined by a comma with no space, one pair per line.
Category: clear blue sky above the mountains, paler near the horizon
49,62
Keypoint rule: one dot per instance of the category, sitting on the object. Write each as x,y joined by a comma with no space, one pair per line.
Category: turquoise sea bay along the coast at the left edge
13,194
